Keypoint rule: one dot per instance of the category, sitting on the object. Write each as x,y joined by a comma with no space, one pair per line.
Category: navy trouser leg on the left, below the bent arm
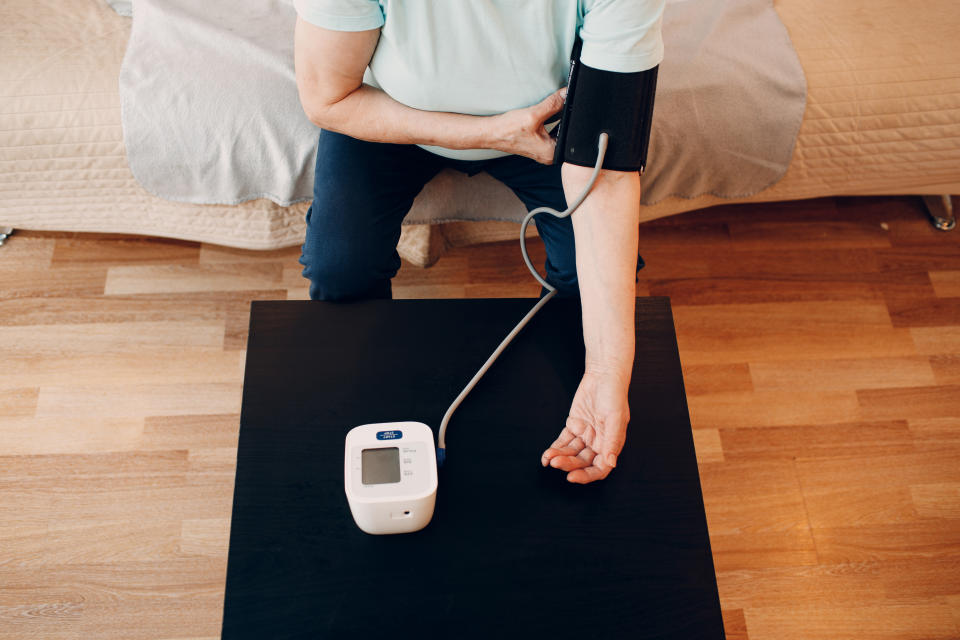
362,191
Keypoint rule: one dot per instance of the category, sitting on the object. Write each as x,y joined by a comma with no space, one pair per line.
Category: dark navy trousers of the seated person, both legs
362,191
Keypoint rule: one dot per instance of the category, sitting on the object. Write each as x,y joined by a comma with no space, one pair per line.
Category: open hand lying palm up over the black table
596,429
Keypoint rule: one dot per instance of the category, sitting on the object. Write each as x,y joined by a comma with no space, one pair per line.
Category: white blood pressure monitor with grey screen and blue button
390,476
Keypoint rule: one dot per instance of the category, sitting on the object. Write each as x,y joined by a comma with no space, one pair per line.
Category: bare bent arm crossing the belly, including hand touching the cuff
330,67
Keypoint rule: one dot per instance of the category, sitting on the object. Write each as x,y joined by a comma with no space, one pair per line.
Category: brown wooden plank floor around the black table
821,350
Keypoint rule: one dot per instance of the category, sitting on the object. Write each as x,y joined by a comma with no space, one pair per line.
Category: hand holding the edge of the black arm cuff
521,131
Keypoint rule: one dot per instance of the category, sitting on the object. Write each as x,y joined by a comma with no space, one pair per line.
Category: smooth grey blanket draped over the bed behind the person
211,114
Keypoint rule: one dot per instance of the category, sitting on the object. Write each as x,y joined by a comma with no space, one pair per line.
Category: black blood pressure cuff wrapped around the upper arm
620,104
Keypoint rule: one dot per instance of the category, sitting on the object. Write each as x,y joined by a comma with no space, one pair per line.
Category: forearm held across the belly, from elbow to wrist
369,113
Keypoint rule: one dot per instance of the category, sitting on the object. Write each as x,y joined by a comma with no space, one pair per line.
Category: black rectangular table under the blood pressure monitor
513,550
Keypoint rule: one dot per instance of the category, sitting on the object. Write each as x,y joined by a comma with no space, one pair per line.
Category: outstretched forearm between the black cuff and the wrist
606,232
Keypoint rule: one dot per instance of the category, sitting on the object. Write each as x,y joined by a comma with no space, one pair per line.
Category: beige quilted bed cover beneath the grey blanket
882,117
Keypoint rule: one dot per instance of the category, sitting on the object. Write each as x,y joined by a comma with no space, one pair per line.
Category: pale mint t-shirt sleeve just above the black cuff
622,35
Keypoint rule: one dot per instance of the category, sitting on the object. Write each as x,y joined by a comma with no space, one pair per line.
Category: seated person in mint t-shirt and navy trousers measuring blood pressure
402,89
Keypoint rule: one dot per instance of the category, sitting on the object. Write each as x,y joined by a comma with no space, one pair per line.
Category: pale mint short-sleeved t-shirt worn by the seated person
484,57
